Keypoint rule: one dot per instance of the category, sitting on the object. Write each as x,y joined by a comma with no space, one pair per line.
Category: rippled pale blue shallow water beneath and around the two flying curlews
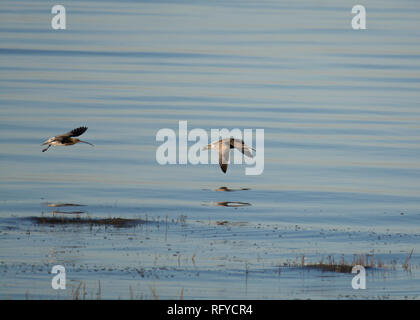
340,111
